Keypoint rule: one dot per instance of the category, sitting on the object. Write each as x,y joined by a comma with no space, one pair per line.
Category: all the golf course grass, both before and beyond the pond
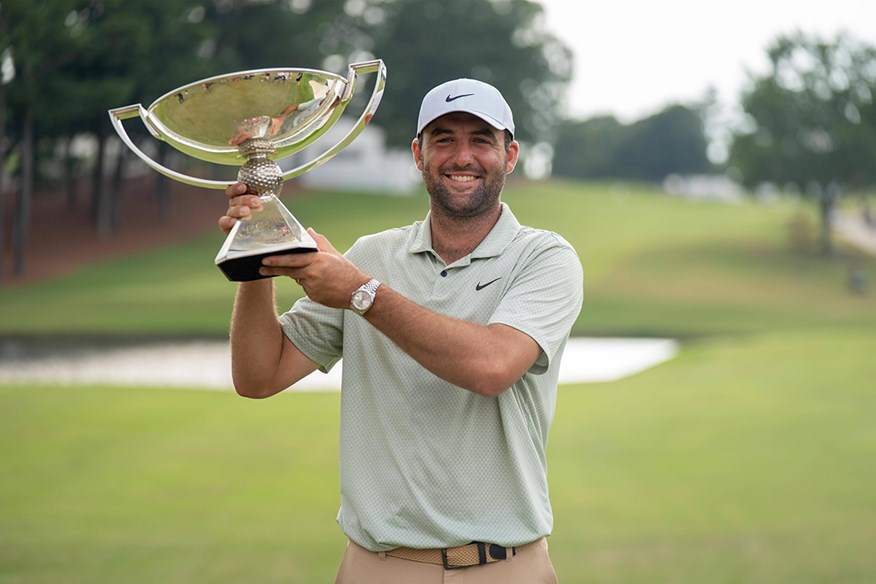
747,459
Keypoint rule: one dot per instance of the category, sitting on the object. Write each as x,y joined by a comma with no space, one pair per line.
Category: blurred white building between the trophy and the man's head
365,165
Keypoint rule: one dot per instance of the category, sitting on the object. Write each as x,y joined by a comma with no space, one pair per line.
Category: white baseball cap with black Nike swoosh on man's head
470,96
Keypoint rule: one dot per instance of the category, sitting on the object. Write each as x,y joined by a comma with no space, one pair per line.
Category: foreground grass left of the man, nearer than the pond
108,485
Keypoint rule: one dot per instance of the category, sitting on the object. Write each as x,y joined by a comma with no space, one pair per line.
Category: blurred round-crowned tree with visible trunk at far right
811,121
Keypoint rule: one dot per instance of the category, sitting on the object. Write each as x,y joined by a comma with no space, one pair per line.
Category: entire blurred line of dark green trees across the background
809,124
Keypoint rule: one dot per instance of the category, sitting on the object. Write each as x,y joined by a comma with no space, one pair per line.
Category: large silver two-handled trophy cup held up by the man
252,119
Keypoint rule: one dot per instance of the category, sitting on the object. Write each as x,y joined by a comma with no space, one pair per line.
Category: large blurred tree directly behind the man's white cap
502,42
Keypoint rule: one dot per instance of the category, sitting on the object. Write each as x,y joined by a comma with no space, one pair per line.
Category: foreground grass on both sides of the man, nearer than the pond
737,462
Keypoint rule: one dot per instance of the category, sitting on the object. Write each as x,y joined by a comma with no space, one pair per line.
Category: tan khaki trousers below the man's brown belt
531,565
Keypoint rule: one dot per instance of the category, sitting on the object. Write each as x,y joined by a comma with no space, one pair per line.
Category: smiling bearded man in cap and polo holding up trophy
451,331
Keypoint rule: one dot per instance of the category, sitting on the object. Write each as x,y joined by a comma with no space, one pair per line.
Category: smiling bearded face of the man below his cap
464,162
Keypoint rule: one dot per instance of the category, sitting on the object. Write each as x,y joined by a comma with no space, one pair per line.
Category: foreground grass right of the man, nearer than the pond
738,462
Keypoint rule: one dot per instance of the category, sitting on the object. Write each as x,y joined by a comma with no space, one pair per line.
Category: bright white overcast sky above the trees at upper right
634,57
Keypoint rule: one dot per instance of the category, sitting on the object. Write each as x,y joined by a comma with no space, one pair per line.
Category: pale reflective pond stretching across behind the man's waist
205,363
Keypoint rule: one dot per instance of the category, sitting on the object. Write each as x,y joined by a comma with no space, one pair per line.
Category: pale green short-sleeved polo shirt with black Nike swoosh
424,463
